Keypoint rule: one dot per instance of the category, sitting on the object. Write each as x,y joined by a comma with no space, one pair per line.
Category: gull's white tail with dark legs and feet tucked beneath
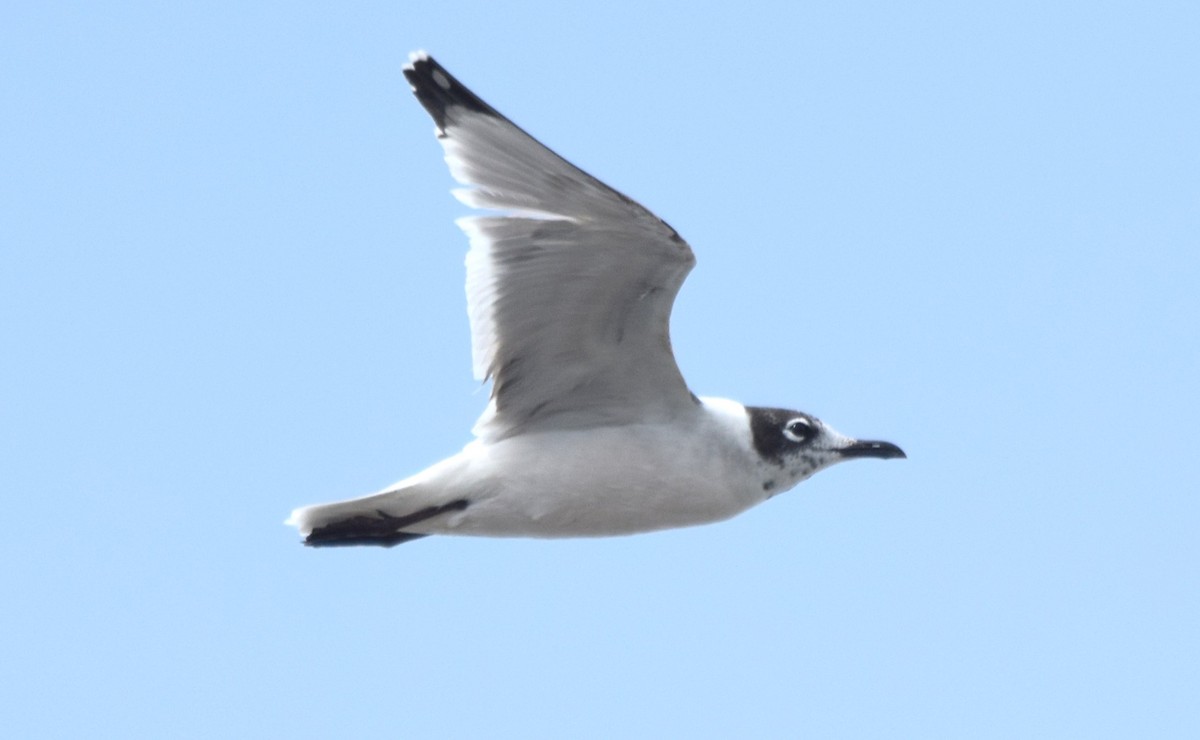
375,520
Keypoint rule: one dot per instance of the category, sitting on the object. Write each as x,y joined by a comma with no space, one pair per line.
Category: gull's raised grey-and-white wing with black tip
569,284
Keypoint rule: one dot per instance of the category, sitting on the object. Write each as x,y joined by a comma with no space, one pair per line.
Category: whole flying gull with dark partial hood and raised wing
591,430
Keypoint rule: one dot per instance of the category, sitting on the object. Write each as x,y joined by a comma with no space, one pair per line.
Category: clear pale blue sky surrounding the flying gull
231,285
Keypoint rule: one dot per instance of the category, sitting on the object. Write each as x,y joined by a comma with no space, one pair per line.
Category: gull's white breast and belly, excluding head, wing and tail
607,480
